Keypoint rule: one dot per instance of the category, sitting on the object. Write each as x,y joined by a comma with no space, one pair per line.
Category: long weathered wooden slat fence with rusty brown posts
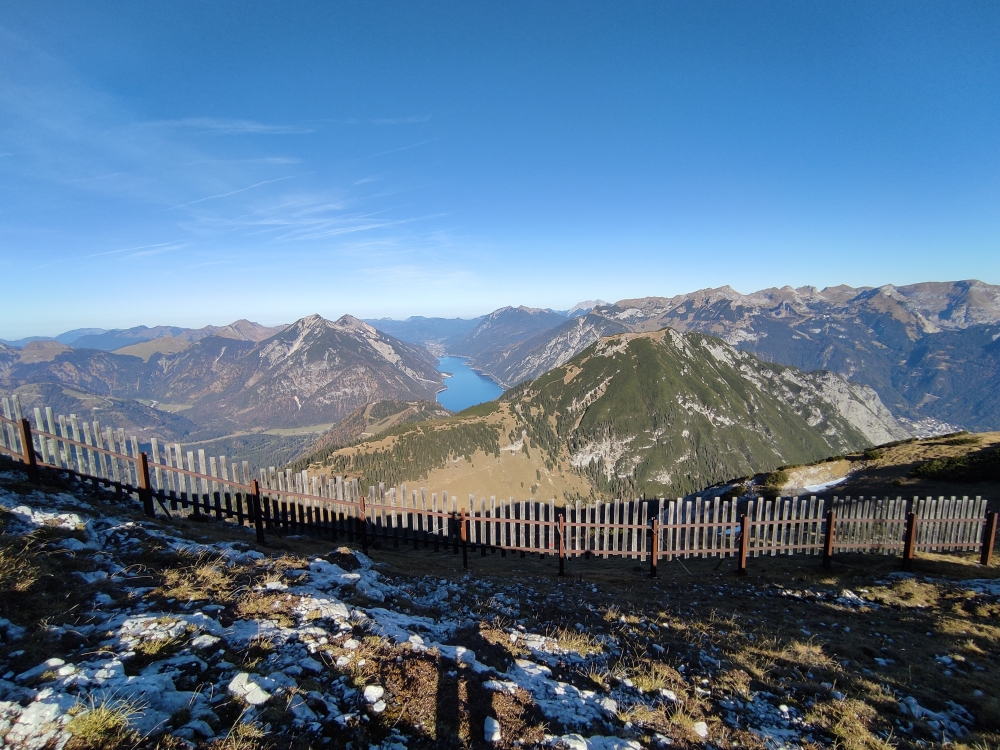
288,503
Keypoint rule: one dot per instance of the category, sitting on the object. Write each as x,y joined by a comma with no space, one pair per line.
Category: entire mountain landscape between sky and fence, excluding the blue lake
649,395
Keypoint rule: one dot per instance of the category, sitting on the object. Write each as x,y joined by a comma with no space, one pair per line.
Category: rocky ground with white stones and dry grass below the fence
121,632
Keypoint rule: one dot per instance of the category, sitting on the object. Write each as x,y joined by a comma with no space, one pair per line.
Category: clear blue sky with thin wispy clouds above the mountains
197,162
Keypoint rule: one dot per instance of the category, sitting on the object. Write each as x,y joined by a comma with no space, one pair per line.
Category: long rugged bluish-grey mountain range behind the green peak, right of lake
929,350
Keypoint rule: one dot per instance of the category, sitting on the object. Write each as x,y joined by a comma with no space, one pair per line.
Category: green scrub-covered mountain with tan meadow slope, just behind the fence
659,413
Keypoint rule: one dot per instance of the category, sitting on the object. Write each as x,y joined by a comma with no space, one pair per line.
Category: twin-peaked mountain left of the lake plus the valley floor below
293,384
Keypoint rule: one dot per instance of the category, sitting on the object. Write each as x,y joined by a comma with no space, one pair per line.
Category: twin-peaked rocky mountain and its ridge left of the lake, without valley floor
312,372
